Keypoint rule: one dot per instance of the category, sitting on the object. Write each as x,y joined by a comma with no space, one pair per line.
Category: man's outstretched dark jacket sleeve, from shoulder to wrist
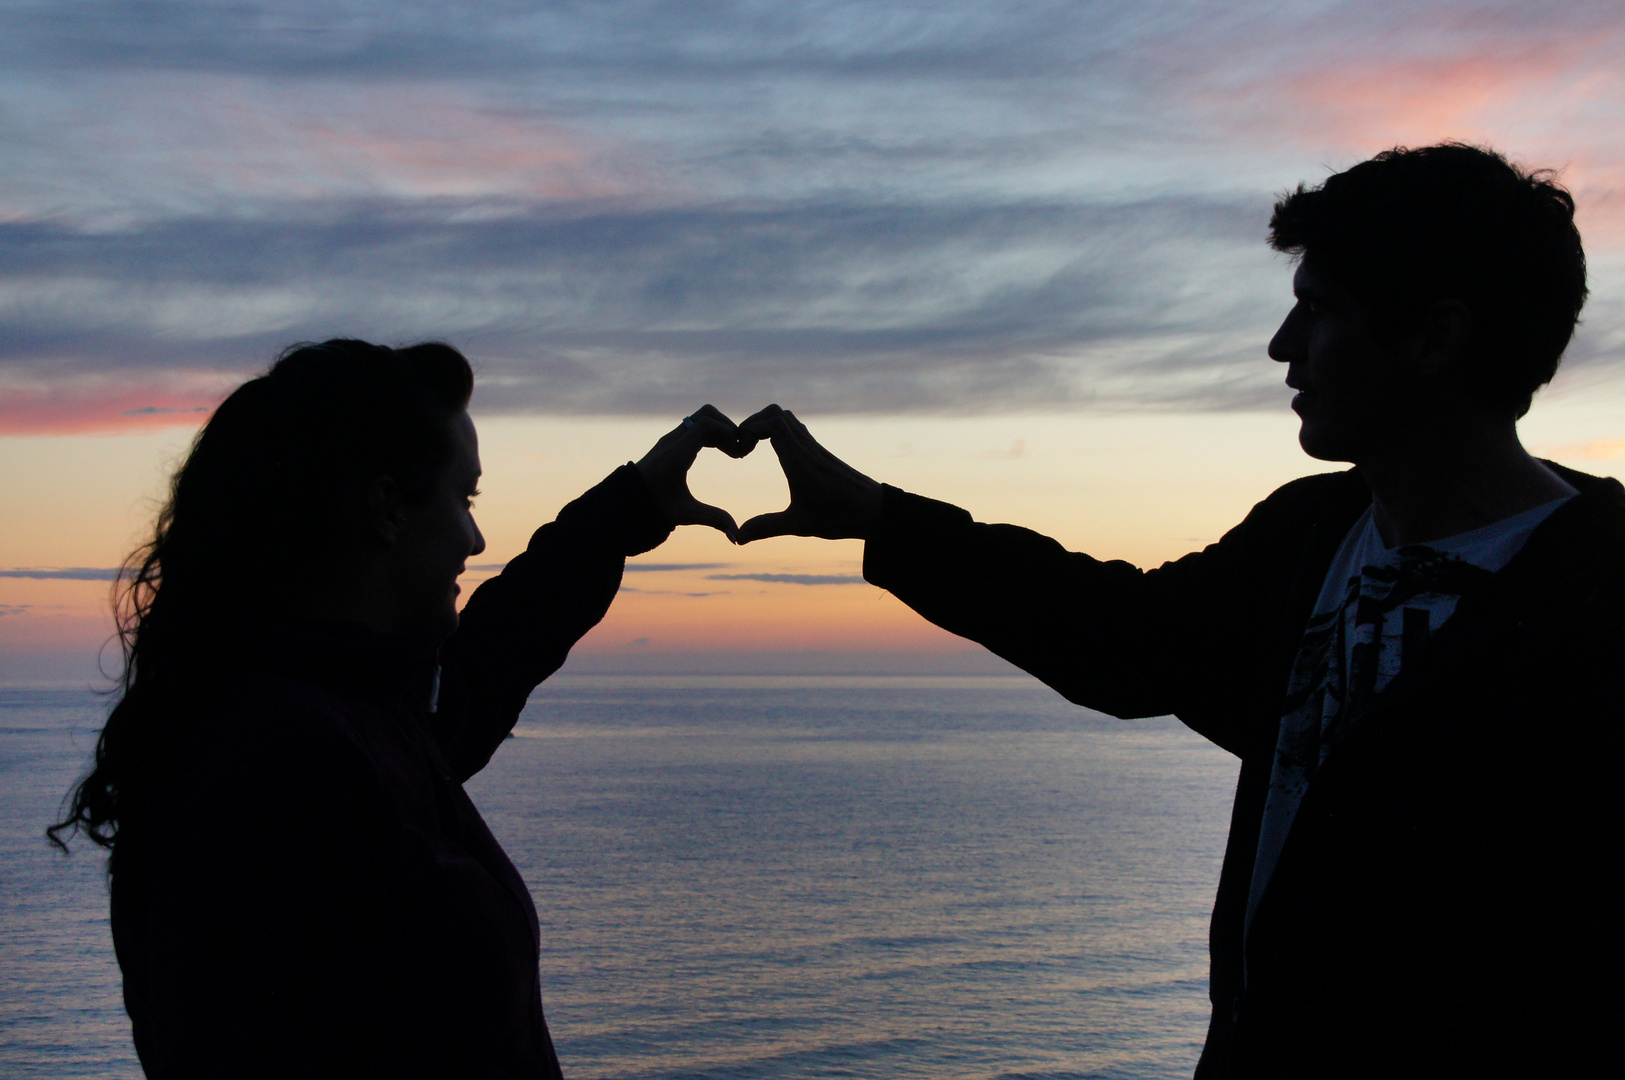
1207,637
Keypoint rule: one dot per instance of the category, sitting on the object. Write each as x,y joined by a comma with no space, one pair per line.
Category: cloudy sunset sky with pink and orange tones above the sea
1010,256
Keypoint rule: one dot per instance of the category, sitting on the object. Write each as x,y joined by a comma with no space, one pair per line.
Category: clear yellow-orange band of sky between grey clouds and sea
1143,488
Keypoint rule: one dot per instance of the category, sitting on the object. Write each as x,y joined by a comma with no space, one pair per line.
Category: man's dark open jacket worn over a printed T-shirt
1442,905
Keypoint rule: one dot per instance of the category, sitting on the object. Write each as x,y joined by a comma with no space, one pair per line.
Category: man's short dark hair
1458,230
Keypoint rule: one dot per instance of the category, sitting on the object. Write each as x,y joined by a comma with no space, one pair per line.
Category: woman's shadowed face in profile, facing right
440,535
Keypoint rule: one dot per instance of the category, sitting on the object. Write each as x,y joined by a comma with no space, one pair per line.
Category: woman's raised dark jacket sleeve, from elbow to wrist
519,628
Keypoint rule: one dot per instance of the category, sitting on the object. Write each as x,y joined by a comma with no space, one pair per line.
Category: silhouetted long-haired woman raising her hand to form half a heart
300,884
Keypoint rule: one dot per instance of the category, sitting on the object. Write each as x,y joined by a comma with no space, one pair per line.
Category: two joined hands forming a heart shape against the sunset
828,498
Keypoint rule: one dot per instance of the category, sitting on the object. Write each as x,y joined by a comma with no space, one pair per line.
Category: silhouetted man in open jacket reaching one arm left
1415,659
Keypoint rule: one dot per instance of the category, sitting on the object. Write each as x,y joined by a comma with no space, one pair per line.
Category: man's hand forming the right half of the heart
828,498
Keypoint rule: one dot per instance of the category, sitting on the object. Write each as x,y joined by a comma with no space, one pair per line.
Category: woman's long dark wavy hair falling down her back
251,519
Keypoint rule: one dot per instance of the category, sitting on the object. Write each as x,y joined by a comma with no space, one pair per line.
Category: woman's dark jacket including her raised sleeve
316,896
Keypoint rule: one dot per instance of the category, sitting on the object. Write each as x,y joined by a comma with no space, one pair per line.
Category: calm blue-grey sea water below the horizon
761,878
